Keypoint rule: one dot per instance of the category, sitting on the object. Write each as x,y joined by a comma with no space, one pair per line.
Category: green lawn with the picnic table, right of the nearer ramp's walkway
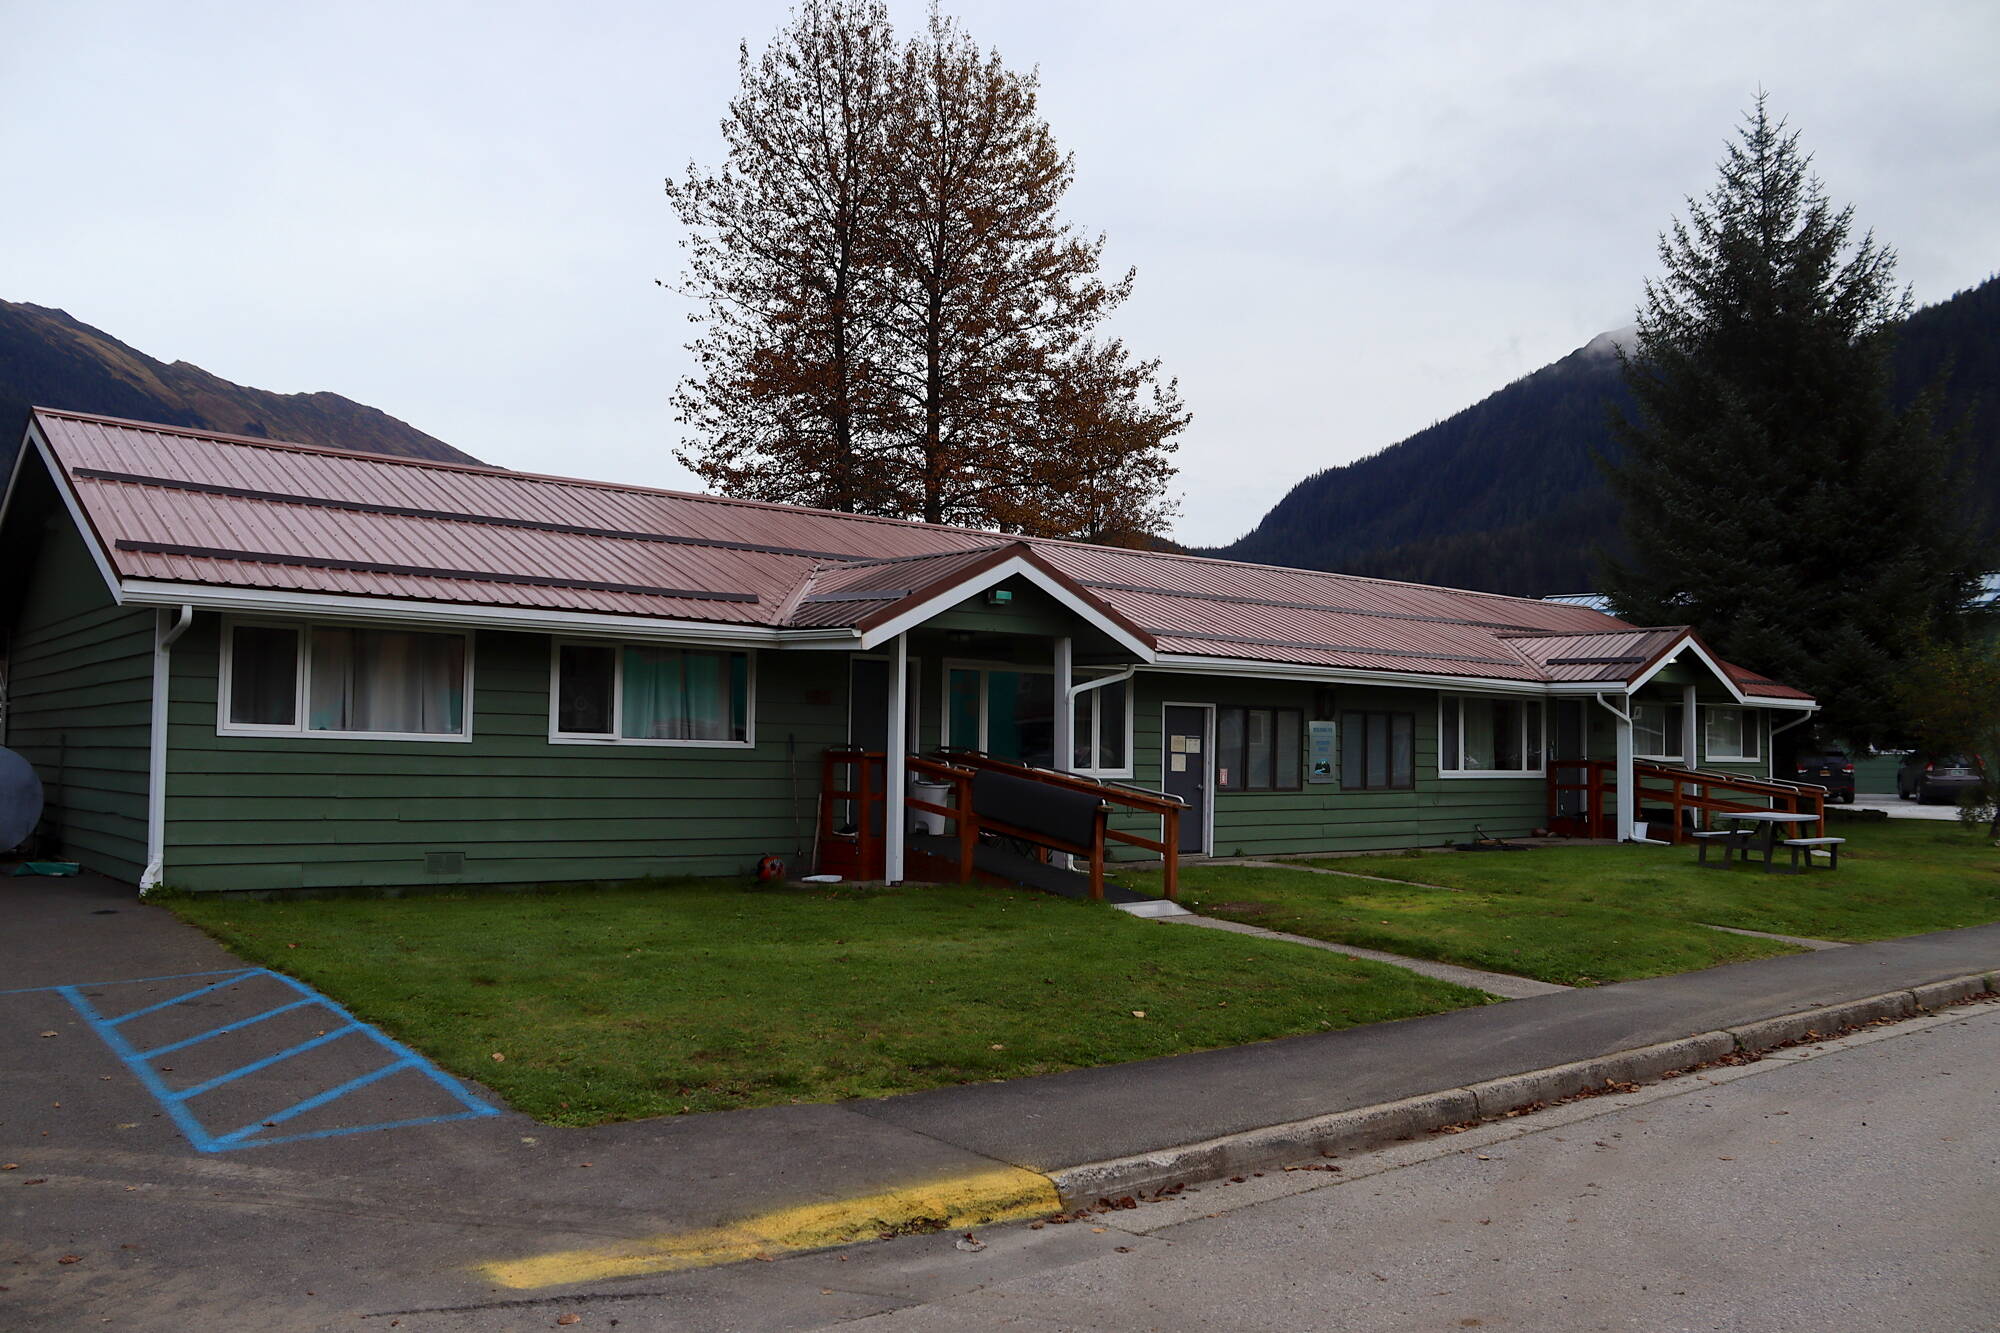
1585,916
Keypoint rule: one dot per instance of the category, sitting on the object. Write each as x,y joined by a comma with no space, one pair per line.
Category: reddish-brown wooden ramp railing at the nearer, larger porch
1075,818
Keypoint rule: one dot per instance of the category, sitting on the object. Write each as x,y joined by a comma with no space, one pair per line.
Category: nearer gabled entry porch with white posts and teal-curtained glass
987,712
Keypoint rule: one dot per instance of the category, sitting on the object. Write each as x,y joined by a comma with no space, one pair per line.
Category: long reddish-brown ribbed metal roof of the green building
197,507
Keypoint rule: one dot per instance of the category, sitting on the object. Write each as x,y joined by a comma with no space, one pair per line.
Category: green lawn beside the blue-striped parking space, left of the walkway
701,996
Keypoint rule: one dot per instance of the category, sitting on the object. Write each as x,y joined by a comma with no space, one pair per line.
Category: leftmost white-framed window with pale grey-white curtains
351,682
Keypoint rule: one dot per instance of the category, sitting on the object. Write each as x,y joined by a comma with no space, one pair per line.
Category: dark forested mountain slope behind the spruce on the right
1507,495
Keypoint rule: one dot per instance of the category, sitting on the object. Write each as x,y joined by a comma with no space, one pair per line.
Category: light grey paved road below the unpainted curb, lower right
1845,1192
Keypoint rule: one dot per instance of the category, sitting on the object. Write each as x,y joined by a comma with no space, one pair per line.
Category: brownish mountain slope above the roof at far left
51,359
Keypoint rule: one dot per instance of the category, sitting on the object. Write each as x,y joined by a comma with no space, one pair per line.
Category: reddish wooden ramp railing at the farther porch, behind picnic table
1665,788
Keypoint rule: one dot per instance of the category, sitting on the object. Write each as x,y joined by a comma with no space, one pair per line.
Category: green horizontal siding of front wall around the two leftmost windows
319,812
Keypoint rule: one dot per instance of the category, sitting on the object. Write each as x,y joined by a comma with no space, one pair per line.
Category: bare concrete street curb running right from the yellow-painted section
1349,1132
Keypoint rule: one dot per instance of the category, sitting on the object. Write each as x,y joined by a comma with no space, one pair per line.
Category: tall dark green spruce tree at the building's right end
1773,495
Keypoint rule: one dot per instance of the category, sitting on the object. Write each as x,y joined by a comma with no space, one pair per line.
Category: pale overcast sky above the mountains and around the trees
1349,221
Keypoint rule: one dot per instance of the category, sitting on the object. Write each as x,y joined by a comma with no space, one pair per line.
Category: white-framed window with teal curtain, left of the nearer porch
651,694
